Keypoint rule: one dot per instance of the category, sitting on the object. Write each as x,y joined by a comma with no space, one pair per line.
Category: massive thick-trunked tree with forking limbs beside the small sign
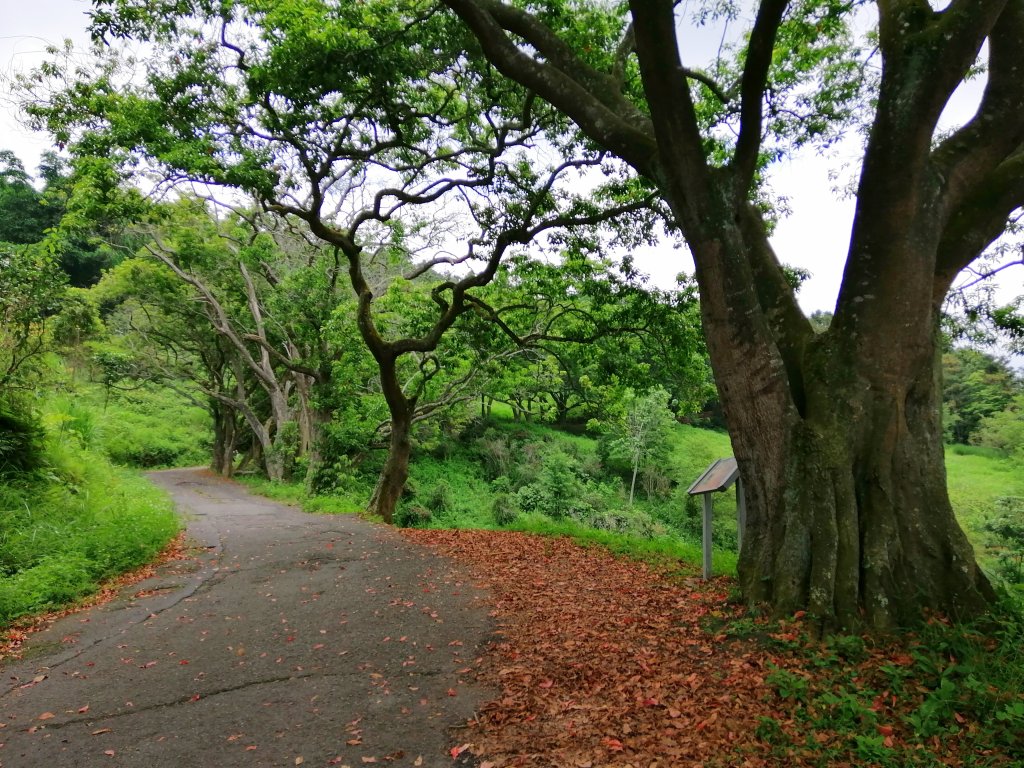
839,434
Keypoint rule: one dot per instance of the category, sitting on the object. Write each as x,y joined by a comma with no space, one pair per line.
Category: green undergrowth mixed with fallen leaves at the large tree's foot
948,695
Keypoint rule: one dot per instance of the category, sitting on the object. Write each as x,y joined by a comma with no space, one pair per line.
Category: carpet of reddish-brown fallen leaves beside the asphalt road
606,662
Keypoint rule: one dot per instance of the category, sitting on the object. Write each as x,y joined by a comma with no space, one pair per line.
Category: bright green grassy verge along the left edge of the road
72,523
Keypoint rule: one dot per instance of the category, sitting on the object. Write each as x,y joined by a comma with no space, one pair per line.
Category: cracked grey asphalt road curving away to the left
290,639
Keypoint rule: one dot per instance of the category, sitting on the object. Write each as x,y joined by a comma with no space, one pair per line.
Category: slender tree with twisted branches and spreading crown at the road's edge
367,124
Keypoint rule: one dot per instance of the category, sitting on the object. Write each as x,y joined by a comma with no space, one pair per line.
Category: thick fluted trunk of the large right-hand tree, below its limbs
839,440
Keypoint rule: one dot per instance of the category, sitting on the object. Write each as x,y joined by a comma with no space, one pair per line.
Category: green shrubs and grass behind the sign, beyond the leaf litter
536,479
